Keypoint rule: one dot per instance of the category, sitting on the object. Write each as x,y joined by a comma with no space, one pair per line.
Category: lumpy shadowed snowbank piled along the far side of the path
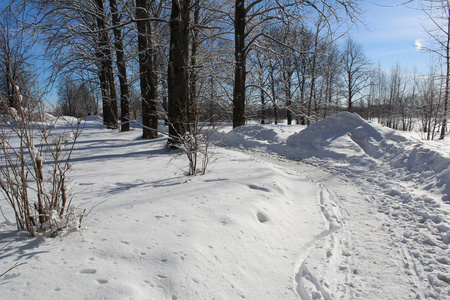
353,142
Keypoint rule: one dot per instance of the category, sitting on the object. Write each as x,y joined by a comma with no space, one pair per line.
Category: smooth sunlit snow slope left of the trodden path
155,233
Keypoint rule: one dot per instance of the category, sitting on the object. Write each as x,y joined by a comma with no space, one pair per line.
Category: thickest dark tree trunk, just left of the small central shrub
178,85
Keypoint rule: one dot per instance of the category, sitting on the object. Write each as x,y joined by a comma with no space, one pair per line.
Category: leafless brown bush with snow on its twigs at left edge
34,161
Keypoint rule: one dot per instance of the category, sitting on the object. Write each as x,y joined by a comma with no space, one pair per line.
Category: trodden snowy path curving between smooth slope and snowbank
362,255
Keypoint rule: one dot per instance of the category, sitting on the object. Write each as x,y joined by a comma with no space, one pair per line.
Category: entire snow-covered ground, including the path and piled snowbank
343,209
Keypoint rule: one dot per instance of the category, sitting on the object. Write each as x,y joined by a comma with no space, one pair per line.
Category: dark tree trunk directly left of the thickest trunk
147,74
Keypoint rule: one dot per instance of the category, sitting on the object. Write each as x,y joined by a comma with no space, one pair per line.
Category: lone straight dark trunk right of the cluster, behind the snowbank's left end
239,68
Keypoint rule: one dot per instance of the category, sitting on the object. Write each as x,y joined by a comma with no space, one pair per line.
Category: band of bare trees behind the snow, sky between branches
215,61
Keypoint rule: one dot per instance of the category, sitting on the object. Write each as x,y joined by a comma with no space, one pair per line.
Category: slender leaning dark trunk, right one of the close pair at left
121,67
